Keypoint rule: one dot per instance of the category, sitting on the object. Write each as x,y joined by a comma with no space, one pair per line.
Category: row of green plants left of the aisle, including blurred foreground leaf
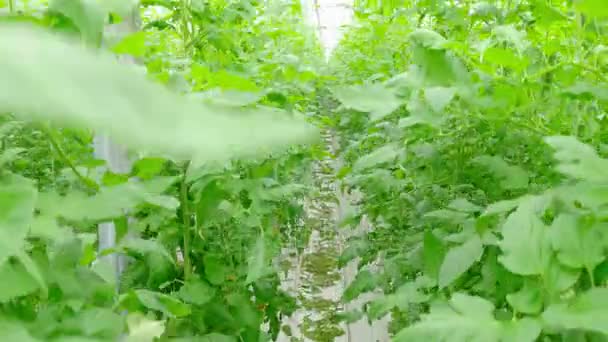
214,114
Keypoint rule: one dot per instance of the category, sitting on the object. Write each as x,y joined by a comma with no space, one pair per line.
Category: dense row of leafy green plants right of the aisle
475,131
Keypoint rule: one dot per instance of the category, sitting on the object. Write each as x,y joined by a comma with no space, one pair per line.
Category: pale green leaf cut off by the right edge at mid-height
578,160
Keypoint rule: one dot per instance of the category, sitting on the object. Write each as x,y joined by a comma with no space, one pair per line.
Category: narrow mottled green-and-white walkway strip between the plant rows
314,276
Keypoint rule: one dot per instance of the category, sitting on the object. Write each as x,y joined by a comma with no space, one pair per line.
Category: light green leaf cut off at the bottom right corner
587,311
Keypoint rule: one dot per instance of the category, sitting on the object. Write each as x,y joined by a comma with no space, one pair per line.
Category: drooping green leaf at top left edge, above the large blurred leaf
87,15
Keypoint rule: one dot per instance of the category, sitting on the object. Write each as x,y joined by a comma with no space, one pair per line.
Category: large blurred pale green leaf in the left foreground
98,92
